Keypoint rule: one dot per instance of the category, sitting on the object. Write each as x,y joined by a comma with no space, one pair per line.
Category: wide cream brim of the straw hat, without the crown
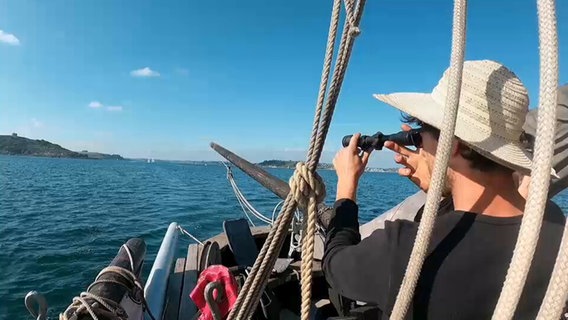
424,107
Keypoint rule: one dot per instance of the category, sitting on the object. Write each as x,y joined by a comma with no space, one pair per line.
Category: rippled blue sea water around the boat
63,220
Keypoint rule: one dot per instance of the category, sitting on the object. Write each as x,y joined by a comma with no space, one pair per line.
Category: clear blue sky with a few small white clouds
163,79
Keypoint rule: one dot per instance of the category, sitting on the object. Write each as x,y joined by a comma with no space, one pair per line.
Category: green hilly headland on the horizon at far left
16,145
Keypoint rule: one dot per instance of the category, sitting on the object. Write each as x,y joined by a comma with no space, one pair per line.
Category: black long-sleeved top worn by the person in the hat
462,275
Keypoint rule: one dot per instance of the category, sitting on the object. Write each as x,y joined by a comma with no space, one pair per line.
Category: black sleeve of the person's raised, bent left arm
357,269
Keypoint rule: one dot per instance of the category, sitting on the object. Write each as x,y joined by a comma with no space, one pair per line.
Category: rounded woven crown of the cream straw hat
492,99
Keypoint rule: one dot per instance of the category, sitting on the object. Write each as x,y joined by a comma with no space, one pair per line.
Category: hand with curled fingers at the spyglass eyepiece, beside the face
415,165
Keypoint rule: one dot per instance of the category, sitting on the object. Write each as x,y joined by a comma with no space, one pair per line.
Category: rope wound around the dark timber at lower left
97,306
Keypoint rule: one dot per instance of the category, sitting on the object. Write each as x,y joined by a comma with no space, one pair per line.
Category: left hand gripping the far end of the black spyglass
349,166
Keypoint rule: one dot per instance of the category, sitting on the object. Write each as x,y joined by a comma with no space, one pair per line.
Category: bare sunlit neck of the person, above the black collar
493,194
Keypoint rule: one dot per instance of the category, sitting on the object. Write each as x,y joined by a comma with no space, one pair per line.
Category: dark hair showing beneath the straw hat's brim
476,160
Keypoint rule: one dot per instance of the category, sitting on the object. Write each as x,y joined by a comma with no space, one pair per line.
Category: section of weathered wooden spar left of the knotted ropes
270,182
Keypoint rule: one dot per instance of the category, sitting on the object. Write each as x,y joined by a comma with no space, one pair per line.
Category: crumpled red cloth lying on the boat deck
220,274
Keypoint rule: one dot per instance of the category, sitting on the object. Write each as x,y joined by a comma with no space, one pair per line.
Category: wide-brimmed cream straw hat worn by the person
492,110
